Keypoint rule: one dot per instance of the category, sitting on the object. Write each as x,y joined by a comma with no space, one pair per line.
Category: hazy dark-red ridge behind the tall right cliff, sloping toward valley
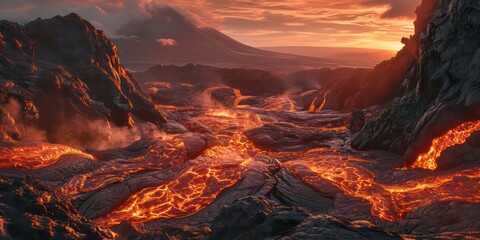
349,88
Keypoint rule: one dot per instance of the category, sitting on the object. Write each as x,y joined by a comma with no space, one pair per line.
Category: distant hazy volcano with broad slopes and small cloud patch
167,37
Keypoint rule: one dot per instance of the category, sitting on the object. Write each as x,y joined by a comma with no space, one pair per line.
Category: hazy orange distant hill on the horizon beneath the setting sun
356,56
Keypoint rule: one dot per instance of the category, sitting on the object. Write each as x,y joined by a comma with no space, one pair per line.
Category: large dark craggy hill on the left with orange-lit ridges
65,62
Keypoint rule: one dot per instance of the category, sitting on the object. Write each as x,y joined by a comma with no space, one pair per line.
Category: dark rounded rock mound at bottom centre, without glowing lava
259,218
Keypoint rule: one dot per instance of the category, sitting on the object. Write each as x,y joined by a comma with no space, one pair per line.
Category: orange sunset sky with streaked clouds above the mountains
378,24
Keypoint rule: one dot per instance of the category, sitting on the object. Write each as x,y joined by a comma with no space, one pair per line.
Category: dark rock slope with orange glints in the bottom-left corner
31,212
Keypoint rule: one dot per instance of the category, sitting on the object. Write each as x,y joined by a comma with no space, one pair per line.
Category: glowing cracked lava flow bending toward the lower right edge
388,201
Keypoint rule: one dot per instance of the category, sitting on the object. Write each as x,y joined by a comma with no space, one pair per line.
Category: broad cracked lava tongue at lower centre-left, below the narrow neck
189,193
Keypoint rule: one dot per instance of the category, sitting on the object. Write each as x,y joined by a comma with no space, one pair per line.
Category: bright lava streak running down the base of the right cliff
455,136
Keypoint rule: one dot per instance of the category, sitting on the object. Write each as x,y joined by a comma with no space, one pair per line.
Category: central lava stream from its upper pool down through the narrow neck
196,187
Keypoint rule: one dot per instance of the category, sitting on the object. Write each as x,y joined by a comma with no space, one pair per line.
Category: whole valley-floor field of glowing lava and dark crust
295,158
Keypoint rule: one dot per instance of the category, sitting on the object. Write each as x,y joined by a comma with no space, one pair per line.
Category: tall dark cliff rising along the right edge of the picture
441,90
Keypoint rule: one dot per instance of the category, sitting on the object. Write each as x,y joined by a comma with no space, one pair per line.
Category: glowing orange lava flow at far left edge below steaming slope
35,156
